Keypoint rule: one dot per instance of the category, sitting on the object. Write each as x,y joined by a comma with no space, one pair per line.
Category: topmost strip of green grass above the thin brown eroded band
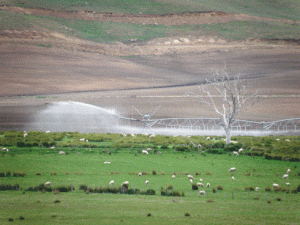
286,9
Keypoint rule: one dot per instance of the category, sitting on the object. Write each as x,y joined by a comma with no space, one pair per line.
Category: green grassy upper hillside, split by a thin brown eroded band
107,31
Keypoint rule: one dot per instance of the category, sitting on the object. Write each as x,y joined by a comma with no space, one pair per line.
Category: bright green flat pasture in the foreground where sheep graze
79,208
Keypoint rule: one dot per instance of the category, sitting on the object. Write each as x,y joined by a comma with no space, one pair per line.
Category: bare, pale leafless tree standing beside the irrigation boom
232,91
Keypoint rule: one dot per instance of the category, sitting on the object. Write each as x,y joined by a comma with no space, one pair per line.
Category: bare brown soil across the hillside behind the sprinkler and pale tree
163,72
